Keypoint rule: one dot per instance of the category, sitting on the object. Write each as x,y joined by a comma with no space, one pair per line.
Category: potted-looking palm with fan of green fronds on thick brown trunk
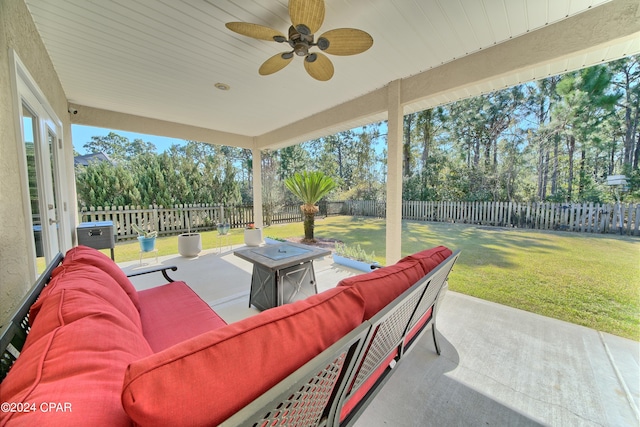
309,187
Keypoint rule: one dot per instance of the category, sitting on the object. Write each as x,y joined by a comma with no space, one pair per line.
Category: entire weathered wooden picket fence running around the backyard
589,217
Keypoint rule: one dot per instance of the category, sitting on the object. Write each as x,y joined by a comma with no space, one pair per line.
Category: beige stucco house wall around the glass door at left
18,32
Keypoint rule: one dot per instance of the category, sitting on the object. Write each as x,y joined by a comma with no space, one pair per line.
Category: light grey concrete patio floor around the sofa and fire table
499,366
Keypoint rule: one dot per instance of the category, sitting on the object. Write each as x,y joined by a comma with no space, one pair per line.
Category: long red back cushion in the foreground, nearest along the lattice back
205,380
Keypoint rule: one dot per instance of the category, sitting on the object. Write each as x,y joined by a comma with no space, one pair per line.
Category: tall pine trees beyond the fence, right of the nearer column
556,139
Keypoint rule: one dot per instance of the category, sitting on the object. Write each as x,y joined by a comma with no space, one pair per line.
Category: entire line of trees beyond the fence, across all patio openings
555,139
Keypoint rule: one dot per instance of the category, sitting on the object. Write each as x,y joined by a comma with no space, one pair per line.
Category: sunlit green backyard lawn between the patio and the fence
587,279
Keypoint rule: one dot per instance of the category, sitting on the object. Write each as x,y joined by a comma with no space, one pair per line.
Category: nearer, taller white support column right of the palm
394,174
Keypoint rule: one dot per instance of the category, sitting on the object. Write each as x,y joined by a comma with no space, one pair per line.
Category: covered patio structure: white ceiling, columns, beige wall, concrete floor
155,66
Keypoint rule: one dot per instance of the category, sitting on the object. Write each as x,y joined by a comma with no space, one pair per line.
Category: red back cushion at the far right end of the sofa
383,285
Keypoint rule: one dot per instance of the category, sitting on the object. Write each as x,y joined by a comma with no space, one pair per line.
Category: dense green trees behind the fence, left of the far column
137,175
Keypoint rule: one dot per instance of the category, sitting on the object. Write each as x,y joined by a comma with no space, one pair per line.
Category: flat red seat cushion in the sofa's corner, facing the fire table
173,313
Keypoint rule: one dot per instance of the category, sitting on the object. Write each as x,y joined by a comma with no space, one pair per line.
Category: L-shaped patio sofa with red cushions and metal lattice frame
98,352
